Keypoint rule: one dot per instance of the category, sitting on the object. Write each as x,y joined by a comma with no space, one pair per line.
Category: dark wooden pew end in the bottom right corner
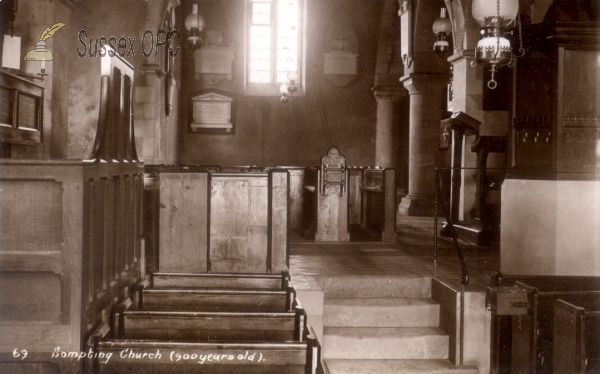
576,337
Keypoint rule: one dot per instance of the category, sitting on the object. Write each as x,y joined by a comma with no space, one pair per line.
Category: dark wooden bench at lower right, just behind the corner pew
525,342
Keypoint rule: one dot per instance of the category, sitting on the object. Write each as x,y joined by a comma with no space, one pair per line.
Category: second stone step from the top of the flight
381,312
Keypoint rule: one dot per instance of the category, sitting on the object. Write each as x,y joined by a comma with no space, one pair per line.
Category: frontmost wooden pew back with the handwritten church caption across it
150,357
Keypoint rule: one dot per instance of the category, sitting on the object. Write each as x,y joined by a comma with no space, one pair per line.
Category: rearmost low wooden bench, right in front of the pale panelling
221,281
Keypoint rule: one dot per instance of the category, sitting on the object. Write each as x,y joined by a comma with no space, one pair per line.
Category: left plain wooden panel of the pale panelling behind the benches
183,222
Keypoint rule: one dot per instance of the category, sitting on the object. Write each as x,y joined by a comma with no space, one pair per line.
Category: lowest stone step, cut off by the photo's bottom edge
396,366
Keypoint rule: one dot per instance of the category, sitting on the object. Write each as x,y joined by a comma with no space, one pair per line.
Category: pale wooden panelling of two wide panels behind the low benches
219,222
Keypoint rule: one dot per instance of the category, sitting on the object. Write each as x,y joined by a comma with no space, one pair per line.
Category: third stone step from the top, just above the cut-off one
385,343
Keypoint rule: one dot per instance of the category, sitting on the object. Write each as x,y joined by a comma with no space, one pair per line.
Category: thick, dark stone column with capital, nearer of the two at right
425,92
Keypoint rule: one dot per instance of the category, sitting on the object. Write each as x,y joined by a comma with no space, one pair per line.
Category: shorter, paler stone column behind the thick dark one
387,100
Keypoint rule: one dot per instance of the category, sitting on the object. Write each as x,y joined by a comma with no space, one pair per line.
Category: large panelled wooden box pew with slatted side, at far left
70,251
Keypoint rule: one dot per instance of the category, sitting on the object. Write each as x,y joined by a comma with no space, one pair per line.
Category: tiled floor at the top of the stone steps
411,255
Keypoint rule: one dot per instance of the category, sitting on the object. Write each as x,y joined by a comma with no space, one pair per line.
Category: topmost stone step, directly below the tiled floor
375,286
